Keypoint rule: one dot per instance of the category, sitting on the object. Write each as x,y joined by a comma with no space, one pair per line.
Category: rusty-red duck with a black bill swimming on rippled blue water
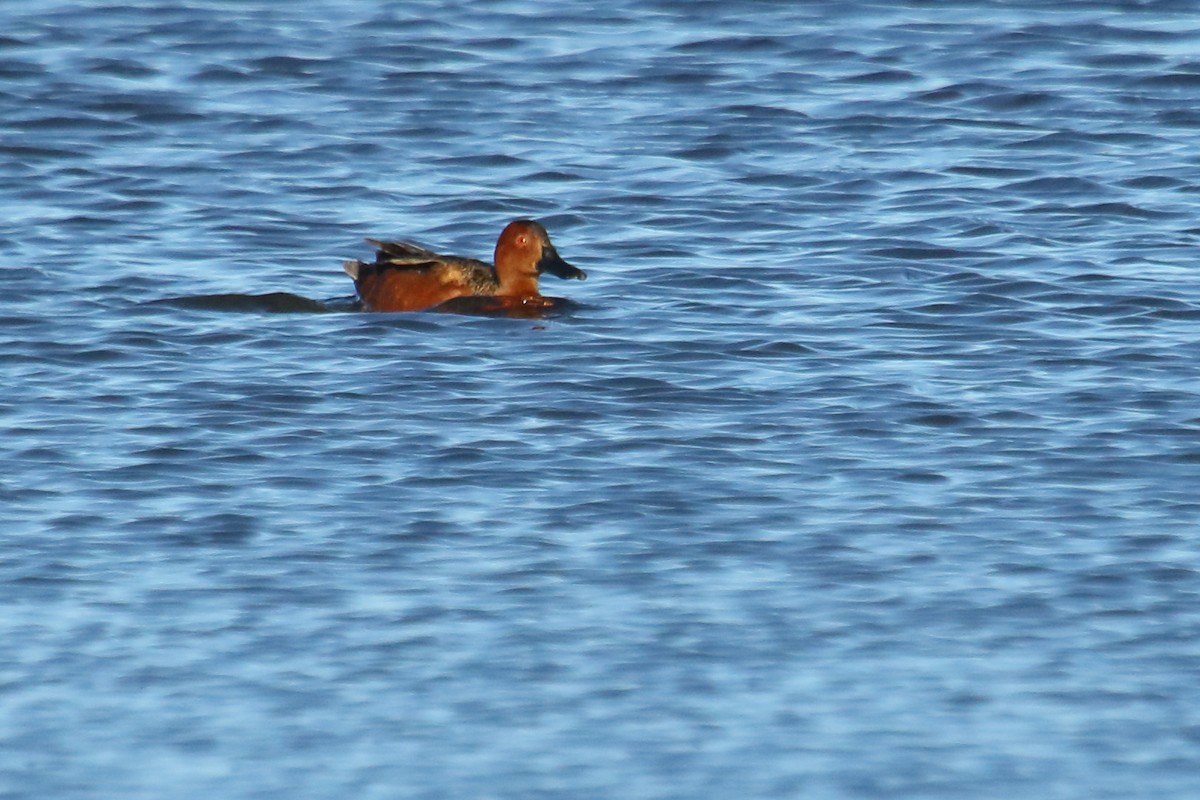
410,278
